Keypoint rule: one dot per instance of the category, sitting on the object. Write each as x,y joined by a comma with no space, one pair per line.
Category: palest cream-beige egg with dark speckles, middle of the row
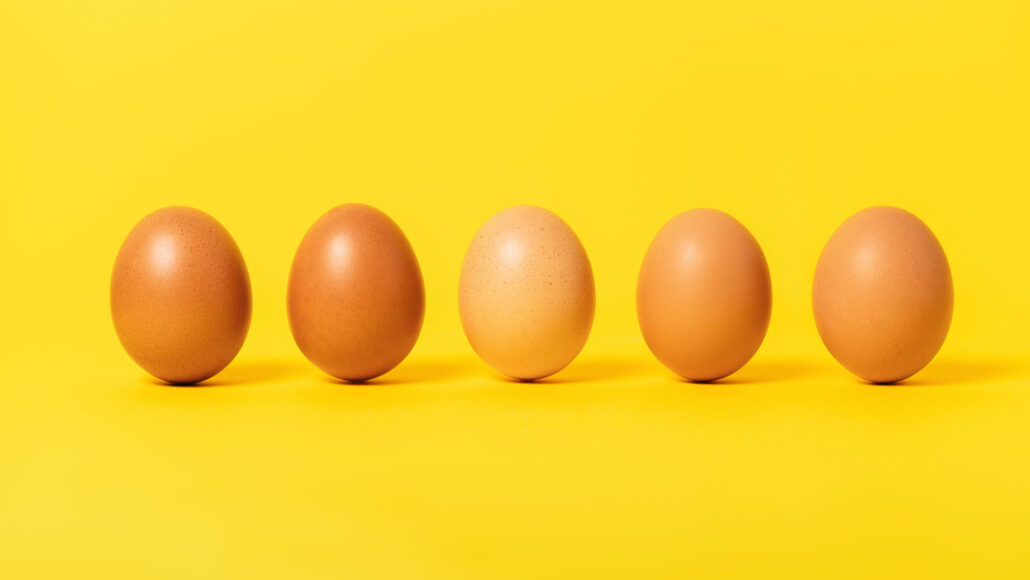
526,293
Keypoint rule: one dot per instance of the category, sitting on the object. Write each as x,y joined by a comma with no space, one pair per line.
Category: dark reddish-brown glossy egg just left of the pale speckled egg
356,298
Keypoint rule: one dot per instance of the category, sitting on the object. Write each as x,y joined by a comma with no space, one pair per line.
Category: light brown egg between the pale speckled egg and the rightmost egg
704,295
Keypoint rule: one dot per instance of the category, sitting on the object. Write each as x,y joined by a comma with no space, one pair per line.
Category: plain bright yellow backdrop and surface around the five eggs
791,116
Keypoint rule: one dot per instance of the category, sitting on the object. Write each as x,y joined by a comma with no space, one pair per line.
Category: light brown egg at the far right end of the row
883,295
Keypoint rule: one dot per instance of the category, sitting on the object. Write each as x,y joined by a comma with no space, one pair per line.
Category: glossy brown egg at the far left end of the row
181,296
